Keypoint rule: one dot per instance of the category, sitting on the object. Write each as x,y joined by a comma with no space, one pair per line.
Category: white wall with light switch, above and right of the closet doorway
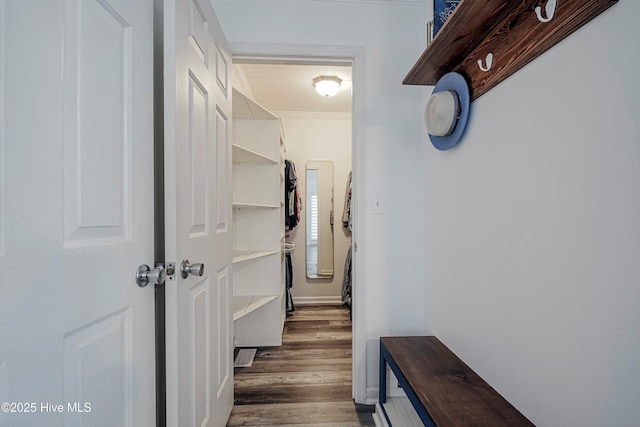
387,118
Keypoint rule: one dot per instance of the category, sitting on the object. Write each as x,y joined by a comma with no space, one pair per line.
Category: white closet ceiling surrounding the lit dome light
289,87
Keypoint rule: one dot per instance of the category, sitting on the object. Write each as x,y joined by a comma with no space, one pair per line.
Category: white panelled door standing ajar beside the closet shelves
198,215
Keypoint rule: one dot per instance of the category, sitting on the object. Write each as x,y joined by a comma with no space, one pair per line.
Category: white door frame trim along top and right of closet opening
354,55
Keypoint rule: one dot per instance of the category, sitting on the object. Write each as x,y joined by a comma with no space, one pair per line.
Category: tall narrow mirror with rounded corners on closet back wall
319,218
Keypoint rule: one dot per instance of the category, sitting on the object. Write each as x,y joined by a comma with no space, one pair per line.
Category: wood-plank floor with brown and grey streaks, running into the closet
307,380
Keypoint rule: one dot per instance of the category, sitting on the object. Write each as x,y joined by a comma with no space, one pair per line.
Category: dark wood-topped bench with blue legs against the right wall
442,389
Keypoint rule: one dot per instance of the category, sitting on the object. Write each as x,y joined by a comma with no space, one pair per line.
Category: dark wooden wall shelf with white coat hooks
508,30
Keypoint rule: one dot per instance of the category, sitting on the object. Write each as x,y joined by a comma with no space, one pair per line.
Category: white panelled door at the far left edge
76,196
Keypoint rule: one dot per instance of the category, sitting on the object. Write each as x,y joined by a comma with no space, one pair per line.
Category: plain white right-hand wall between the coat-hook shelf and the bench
532,230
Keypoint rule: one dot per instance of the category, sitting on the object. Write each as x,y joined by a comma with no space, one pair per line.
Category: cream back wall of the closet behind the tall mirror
319,136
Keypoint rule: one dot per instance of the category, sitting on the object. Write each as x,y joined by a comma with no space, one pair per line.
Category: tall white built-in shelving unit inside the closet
258,224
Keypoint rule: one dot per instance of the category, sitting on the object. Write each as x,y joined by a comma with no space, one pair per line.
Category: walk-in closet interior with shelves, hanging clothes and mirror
292,253
